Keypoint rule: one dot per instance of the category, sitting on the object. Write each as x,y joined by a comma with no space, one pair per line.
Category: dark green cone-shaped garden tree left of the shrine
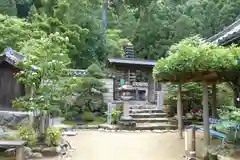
88,93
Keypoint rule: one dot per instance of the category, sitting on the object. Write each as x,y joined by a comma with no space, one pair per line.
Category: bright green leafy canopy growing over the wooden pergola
192,55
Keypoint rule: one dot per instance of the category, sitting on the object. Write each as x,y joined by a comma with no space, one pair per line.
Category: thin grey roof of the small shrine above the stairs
132,61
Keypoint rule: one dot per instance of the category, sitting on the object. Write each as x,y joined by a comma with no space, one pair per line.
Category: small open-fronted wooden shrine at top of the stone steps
135,72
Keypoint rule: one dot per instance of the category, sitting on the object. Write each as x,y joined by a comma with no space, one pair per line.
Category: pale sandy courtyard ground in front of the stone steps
95,145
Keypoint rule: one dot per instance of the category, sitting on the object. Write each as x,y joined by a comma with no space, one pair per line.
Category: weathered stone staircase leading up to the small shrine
150,118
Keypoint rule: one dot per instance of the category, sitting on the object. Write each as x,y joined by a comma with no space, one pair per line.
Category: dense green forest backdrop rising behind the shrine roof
151,26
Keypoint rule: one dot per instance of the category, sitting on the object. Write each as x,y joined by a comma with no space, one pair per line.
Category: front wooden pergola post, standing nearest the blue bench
206,116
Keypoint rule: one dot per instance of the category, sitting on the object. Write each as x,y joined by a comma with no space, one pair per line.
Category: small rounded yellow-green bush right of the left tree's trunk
53,136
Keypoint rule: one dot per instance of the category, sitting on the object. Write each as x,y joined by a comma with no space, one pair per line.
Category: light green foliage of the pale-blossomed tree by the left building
49,55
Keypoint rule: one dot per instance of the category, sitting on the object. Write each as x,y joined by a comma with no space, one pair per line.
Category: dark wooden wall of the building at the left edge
9,88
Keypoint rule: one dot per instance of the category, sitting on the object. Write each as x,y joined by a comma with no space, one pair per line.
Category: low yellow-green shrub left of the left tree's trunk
27,133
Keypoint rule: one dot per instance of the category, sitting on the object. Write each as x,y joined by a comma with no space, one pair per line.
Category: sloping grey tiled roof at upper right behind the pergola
228,34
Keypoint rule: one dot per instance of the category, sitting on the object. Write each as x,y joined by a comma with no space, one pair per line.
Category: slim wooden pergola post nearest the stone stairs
180,111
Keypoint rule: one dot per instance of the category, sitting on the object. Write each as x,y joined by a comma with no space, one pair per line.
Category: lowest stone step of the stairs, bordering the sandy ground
155,126
